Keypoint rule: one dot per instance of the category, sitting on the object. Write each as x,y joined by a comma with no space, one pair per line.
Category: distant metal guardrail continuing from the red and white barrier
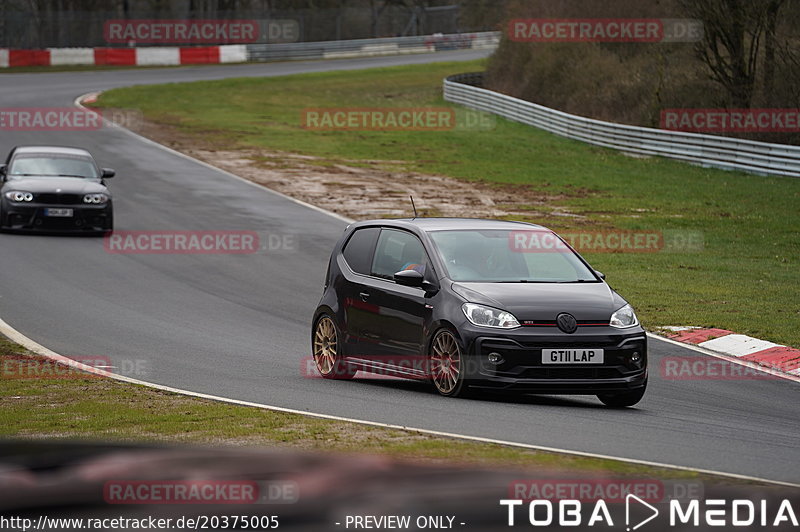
371,47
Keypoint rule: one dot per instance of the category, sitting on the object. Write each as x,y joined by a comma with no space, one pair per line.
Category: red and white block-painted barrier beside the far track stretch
150,56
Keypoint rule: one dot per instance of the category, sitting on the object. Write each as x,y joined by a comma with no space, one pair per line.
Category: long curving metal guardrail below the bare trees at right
705,150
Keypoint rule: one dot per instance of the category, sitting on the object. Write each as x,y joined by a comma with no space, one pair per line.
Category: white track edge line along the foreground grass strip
39,349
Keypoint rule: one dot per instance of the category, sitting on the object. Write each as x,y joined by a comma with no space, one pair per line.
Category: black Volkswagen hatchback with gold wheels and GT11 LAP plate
476,304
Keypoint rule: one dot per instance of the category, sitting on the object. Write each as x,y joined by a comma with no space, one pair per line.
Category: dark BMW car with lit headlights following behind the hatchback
54,189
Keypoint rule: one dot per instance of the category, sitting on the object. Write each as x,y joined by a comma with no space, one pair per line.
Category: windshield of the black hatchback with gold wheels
505,256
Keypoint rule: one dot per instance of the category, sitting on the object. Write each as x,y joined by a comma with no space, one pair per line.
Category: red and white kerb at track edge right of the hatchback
746,348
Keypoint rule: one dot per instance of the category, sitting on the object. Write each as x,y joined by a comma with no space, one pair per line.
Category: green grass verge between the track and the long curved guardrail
745,279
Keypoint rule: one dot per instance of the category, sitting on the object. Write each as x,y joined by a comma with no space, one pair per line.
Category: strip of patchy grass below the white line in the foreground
90,408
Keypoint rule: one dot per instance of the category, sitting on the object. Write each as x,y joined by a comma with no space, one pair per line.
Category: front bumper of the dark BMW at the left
31,217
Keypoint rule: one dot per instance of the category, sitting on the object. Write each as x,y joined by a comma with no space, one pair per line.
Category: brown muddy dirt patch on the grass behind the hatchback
364,189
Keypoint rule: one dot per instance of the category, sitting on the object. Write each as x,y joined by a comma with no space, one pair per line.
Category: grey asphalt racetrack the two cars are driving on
238,325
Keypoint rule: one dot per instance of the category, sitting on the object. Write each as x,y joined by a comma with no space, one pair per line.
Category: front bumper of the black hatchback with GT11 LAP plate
624,367
